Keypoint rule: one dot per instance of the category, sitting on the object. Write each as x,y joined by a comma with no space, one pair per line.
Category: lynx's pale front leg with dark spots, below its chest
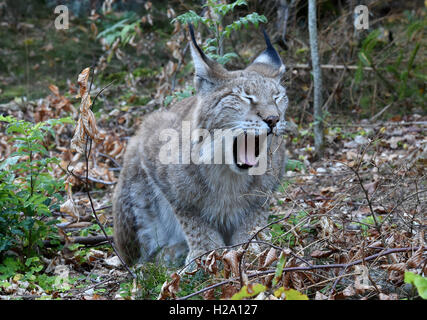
201,237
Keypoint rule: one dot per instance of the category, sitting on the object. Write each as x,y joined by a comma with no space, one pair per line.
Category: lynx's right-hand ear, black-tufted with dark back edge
268,62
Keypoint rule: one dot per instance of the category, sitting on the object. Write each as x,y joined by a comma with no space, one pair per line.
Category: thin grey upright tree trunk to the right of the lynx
317,77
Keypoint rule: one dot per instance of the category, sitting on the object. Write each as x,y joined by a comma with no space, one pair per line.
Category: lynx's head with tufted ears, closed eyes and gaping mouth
251,100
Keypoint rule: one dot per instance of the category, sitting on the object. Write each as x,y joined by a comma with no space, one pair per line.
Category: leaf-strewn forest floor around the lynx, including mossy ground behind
347,226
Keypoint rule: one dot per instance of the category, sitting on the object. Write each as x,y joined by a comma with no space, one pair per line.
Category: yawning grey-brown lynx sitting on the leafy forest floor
186,209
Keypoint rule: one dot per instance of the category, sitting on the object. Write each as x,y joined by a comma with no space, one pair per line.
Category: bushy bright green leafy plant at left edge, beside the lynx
28,191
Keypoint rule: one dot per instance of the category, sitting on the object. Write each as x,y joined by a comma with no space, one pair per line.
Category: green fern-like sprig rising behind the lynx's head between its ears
213,46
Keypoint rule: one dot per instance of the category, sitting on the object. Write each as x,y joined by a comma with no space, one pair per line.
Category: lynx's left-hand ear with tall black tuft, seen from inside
208,73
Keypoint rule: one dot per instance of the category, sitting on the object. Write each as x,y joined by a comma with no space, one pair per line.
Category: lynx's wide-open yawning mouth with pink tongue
246,150
